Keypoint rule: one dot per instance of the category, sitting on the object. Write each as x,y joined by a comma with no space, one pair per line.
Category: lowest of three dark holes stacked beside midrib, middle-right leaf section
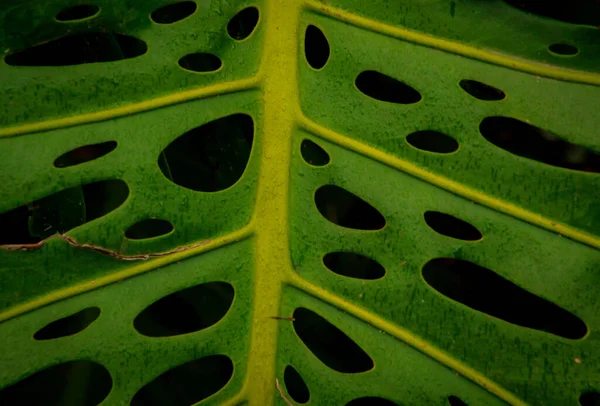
353,265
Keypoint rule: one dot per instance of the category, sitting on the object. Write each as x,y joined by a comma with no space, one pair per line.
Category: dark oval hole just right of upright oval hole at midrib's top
385,88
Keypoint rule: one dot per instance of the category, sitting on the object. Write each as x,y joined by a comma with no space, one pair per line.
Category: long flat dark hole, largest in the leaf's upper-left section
77,49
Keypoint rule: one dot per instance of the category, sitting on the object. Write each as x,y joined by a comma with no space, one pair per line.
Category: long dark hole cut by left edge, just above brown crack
61,211
